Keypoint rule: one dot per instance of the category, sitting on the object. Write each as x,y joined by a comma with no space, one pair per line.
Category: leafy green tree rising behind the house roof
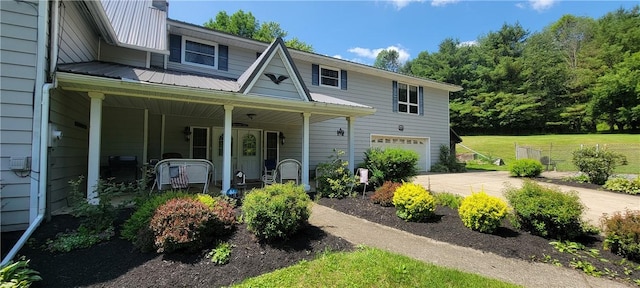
245,25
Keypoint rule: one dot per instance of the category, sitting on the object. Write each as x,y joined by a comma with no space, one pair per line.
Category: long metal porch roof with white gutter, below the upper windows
123,80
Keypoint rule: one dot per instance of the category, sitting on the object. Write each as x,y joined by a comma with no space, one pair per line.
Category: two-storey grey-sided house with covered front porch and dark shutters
83,81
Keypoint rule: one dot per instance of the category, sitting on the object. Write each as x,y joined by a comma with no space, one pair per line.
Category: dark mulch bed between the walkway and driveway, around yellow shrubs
446,226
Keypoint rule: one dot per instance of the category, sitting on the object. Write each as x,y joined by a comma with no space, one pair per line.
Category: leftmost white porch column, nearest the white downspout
95,129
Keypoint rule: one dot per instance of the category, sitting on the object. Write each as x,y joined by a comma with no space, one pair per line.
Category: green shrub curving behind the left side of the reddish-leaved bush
135,229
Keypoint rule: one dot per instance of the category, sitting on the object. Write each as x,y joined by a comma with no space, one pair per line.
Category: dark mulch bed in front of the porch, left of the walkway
117,263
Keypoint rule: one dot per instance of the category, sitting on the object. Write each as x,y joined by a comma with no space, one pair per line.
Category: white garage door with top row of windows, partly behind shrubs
418,144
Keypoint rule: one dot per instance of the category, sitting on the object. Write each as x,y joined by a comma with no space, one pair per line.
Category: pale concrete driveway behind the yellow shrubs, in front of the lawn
494,183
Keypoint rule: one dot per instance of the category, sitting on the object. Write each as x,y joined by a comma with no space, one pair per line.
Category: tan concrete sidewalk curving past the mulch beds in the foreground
360,231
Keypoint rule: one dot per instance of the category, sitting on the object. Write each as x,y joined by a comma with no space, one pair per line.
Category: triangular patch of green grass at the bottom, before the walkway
368,267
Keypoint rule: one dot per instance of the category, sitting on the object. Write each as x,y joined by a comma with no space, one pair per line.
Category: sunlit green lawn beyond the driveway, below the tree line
559,147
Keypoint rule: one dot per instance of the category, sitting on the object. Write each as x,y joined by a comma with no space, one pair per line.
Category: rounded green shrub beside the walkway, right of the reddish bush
276,211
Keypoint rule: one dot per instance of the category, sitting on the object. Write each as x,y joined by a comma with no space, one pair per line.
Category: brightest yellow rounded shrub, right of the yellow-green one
482,212
